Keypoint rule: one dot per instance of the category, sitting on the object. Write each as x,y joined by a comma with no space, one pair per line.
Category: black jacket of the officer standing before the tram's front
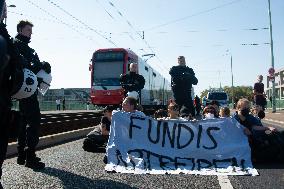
132,82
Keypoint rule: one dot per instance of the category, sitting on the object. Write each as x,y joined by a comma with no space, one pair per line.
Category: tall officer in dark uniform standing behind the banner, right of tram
182,79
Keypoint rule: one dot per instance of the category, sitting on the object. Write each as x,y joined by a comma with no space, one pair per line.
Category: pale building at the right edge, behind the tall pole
279,85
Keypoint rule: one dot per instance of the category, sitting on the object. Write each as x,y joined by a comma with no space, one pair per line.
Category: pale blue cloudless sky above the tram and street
206,32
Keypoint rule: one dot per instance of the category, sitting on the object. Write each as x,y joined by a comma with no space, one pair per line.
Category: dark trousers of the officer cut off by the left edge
4,125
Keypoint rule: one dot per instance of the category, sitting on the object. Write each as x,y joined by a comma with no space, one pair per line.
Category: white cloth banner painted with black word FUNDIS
208,147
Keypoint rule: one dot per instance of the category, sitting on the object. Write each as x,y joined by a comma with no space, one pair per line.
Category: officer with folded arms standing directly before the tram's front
132,81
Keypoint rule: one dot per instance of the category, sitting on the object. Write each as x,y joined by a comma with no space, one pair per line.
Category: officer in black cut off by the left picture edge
10,64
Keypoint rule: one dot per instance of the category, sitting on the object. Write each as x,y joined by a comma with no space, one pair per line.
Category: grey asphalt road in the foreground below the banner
68,166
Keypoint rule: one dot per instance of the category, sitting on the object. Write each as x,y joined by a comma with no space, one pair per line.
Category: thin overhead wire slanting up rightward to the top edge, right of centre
192,15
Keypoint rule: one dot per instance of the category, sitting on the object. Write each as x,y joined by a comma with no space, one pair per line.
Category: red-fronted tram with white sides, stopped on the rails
109,64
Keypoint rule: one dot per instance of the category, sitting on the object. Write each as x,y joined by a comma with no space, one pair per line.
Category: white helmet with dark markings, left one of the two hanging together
29,85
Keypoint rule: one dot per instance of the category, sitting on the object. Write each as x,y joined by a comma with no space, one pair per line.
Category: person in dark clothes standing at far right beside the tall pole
258,92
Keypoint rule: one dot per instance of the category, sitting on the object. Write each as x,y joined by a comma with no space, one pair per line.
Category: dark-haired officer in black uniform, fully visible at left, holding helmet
29,107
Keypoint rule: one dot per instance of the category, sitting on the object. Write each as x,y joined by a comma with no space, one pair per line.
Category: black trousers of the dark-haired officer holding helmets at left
28,137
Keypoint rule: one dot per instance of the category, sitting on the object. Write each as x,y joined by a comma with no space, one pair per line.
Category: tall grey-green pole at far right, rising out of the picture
272,60
